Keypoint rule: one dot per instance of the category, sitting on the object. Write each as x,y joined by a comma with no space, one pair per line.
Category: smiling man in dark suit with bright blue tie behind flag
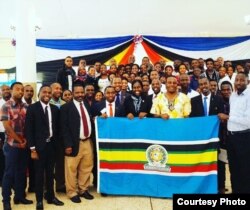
206,103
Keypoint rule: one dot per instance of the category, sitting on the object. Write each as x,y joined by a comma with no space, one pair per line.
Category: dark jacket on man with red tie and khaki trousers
70,121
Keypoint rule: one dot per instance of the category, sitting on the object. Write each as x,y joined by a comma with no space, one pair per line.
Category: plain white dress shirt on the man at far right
239,116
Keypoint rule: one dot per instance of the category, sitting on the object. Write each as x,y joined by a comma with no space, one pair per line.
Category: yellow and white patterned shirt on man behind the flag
178,108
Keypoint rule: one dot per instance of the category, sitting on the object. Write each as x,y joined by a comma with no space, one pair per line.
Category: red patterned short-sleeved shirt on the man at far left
15,113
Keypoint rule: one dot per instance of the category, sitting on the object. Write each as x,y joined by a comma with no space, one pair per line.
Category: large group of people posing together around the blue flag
54,138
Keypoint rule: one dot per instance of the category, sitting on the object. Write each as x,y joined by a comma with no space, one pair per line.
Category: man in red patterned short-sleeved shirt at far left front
13,114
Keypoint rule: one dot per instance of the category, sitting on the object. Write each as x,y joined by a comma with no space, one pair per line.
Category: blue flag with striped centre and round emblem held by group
156,157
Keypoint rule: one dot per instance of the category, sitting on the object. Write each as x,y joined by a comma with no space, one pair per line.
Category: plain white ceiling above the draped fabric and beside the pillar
104,18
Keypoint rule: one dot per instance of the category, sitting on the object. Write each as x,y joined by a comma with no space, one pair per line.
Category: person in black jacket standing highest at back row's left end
66,75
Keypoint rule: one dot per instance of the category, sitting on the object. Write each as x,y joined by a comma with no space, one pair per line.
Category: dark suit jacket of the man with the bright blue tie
215,107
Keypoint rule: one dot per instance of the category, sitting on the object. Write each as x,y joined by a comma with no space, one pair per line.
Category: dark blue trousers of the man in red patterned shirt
14,172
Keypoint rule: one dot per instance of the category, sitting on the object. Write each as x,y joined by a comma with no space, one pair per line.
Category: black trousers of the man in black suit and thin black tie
45,163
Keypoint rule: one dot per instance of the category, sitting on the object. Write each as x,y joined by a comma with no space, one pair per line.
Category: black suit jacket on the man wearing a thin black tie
36,128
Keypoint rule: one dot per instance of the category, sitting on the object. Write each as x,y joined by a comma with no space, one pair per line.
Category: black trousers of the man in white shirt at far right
238,149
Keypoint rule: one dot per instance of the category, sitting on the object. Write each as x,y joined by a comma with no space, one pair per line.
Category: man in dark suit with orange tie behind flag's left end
108,107
